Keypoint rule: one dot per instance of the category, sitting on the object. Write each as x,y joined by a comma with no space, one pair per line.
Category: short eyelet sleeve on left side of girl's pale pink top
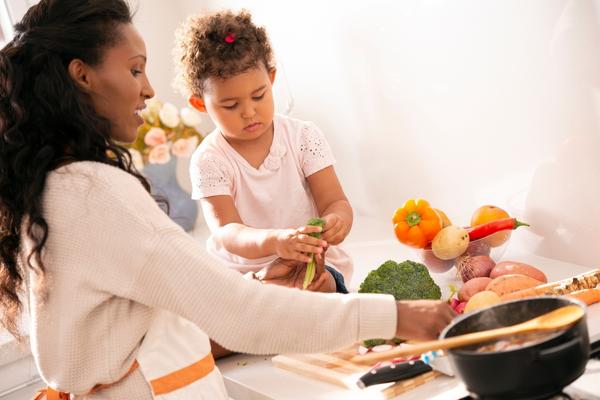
209,176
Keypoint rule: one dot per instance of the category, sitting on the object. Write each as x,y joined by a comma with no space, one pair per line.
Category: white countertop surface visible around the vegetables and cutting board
255,377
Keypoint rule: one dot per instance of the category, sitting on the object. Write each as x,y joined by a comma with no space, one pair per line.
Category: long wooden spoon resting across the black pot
553,320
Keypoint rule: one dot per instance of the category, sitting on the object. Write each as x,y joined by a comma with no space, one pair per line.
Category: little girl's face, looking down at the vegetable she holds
242,106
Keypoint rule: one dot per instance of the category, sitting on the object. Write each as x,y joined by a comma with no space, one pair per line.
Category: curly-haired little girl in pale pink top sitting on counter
260,176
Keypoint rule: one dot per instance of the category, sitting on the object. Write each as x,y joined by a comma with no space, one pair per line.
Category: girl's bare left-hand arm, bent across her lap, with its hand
227,227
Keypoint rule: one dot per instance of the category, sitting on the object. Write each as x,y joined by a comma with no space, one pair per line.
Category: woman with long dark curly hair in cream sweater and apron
106,274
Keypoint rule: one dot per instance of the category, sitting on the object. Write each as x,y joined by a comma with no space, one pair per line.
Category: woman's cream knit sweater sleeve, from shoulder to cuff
157,264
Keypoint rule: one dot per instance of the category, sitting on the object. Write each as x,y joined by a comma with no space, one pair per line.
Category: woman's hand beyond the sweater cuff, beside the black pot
422,319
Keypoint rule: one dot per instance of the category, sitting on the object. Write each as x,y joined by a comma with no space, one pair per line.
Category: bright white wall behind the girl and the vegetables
462,102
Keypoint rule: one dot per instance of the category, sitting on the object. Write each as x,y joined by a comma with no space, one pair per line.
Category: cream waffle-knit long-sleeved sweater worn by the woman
113,258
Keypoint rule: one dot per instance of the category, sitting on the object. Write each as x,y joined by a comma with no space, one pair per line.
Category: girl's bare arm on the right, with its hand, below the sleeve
332,204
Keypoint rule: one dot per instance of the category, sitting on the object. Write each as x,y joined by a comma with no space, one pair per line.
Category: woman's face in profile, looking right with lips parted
119,86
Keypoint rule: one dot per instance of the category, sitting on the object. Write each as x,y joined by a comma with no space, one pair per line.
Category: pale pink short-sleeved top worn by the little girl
274,195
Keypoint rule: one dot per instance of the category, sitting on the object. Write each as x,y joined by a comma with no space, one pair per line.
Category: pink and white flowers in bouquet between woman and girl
166,131
